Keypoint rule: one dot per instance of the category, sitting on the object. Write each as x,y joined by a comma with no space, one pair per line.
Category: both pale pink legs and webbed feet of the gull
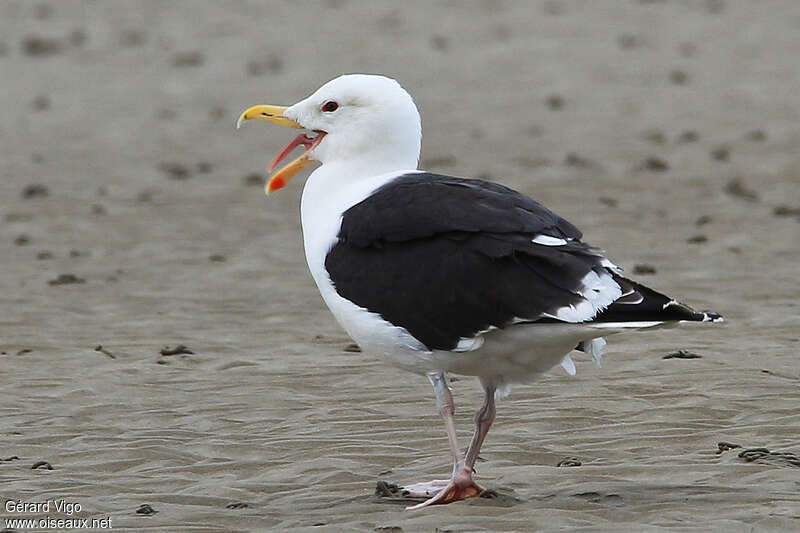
461,486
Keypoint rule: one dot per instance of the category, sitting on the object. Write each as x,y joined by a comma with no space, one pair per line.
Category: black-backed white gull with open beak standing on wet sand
439,274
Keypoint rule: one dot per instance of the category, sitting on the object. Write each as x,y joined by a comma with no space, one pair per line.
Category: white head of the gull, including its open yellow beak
368,120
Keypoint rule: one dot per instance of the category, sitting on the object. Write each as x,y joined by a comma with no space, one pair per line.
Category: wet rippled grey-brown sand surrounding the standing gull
131,220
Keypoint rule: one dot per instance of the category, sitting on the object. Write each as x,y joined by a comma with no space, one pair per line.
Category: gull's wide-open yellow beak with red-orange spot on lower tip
274,114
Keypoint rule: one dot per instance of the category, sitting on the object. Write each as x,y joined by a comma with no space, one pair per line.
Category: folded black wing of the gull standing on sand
447,258
